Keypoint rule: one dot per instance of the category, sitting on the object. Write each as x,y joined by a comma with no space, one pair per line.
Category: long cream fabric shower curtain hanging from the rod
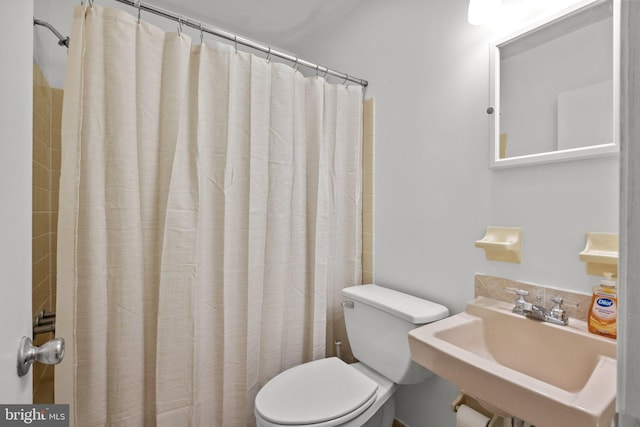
210,213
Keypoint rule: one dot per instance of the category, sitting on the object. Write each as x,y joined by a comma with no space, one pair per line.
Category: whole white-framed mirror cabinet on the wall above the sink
555,88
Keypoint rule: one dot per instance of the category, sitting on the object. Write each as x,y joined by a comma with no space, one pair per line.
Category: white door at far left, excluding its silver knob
16,82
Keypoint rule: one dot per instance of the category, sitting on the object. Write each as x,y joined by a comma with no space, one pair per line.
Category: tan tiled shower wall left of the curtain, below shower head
47,118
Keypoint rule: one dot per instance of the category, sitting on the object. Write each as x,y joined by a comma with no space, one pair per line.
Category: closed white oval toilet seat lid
314,392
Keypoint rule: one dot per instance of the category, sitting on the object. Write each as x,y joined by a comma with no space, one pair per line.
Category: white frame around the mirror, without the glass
494,94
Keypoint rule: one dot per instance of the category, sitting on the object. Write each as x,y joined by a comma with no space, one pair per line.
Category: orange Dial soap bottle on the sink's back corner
603,314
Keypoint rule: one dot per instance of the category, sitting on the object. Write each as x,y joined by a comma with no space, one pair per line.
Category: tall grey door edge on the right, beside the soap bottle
628,325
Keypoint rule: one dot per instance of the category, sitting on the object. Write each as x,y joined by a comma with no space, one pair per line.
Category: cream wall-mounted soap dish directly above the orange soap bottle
601,253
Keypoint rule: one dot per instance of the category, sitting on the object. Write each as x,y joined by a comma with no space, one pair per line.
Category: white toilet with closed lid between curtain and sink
329,392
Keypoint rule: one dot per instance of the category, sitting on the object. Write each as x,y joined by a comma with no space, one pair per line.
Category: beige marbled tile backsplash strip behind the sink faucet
576,303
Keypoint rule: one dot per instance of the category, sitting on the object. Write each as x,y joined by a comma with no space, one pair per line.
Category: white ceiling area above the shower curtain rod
281,23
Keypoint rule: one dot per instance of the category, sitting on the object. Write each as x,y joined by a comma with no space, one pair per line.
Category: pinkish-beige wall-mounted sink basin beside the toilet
545,374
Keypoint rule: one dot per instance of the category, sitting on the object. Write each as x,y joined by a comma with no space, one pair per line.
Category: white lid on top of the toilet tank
407,307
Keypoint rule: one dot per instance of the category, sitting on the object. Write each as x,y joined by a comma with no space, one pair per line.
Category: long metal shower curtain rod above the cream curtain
236,39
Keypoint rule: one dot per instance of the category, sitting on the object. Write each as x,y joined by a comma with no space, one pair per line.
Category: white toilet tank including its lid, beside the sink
378,321
